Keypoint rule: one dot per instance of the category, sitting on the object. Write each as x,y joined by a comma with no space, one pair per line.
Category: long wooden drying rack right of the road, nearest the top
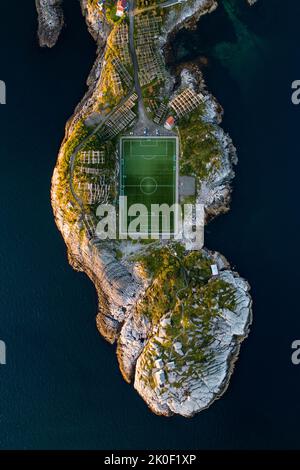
151,66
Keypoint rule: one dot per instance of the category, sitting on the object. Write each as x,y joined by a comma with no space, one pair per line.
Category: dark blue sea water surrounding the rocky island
61,387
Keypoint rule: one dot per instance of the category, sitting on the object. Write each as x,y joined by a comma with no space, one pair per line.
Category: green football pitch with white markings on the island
148,173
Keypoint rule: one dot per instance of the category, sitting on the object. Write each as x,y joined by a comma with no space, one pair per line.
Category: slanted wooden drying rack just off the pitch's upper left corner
120,118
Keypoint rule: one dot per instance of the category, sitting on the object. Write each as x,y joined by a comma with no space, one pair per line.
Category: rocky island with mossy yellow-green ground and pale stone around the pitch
176,311
